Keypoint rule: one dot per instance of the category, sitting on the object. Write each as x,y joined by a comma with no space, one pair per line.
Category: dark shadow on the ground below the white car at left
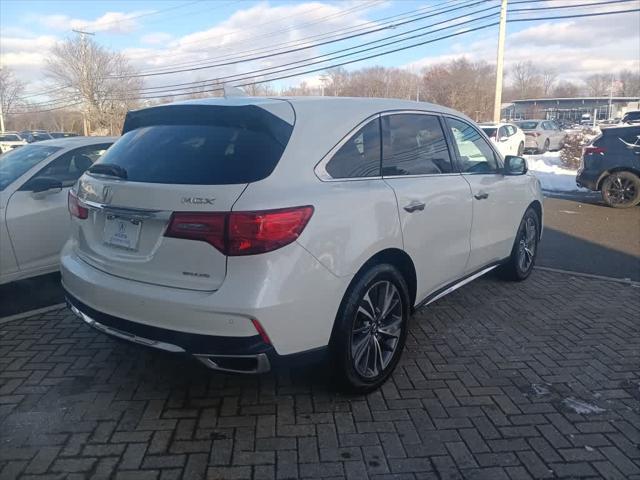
30,294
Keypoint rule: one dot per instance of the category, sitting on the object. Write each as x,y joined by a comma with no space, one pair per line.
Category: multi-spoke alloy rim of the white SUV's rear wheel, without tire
376,329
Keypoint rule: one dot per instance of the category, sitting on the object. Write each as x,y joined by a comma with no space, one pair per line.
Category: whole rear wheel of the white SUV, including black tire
354,330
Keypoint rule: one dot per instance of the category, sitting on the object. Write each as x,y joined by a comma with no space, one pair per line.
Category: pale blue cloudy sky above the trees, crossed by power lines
157,35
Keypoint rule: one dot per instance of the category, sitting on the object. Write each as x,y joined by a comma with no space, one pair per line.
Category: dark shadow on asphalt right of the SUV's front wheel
567,252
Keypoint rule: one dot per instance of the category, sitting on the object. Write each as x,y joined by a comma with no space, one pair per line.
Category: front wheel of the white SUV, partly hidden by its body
523,256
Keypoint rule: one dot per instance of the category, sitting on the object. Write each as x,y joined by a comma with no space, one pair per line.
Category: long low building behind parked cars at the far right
570,109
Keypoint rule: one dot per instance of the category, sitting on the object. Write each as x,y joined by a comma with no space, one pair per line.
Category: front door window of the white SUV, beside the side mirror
476,156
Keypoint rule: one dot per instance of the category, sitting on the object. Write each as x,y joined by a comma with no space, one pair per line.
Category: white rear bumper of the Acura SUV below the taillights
293,297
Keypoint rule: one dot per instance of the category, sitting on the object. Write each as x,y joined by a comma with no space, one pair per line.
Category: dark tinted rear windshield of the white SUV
200,144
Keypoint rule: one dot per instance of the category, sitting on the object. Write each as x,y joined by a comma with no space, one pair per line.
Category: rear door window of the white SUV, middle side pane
414,145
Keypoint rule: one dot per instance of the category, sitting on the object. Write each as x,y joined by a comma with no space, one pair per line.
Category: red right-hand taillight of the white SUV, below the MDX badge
242,233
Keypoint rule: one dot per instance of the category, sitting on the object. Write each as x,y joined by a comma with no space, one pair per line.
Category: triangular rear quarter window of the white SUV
359,156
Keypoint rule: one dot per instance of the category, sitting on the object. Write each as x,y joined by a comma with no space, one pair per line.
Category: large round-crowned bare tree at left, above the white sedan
99,80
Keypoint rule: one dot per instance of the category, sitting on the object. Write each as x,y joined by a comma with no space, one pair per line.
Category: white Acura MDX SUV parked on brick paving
253,231
